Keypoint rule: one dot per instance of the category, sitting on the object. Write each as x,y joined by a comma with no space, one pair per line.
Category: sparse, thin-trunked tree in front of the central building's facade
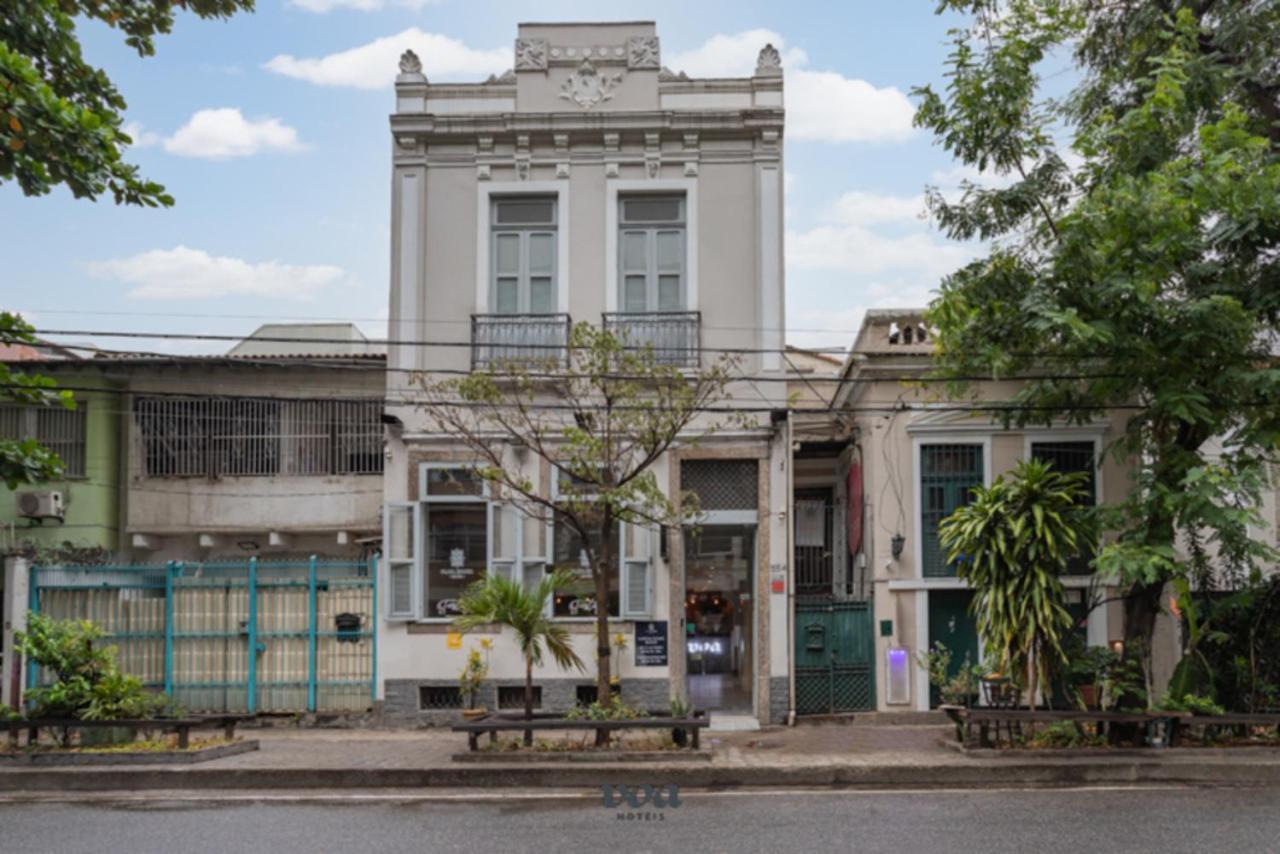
598,422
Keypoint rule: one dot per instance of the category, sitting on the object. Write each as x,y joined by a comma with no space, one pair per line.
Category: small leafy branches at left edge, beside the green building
24,462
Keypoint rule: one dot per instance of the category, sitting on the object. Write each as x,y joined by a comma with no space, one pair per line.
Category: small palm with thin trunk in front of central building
504,602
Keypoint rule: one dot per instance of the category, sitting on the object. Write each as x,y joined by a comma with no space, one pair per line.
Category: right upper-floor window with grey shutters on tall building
652,254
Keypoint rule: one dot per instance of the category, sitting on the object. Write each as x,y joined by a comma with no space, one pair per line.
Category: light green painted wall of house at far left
93,503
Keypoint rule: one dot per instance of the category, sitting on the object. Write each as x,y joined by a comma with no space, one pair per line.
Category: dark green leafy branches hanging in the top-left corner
61,118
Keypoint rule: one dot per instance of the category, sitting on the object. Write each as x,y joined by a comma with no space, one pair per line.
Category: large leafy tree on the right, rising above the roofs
1133,262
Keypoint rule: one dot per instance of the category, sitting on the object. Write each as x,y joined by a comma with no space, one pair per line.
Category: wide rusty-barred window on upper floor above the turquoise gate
189,437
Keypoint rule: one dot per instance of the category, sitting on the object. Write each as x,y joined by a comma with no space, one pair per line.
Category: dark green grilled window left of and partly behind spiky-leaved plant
948,476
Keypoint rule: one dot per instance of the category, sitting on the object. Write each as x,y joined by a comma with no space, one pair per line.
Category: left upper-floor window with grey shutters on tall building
524,255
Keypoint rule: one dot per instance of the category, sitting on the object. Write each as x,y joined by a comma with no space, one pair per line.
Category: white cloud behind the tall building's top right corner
822,106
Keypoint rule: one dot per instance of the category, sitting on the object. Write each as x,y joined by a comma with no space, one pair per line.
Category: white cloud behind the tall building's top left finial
374,66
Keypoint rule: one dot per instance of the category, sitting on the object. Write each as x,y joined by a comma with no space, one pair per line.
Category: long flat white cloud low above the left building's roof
185,273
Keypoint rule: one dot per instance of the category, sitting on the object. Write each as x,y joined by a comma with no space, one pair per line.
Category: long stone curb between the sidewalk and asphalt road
569,777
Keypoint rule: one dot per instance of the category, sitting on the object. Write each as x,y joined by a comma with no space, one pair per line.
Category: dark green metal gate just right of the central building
835,656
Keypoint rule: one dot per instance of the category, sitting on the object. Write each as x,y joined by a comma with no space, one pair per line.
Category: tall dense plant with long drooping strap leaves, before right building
1012,544
